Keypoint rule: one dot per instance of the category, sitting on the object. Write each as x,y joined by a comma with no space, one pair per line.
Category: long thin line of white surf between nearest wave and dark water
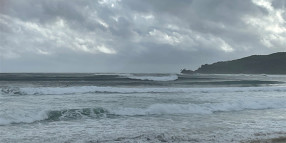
107,89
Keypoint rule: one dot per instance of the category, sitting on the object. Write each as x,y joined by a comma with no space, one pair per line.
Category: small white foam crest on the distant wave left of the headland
153,78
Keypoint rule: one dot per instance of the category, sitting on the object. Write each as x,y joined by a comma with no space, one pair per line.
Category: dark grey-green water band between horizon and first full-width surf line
133,80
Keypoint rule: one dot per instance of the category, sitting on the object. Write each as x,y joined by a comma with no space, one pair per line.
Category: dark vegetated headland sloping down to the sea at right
256,64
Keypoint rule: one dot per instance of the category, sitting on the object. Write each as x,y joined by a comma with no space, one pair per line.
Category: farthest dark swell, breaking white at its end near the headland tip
85,77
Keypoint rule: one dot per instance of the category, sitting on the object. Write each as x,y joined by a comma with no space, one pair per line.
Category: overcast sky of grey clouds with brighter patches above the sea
135,36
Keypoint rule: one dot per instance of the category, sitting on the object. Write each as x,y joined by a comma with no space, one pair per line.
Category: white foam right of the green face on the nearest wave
206,108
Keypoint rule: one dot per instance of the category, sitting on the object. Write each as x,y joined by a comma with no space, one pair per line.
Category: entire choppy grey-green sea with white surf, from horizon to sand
89,108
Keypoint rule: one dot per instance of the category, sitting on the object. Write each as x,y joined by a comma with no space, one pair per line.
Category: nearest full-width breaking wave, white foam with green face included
20,116
